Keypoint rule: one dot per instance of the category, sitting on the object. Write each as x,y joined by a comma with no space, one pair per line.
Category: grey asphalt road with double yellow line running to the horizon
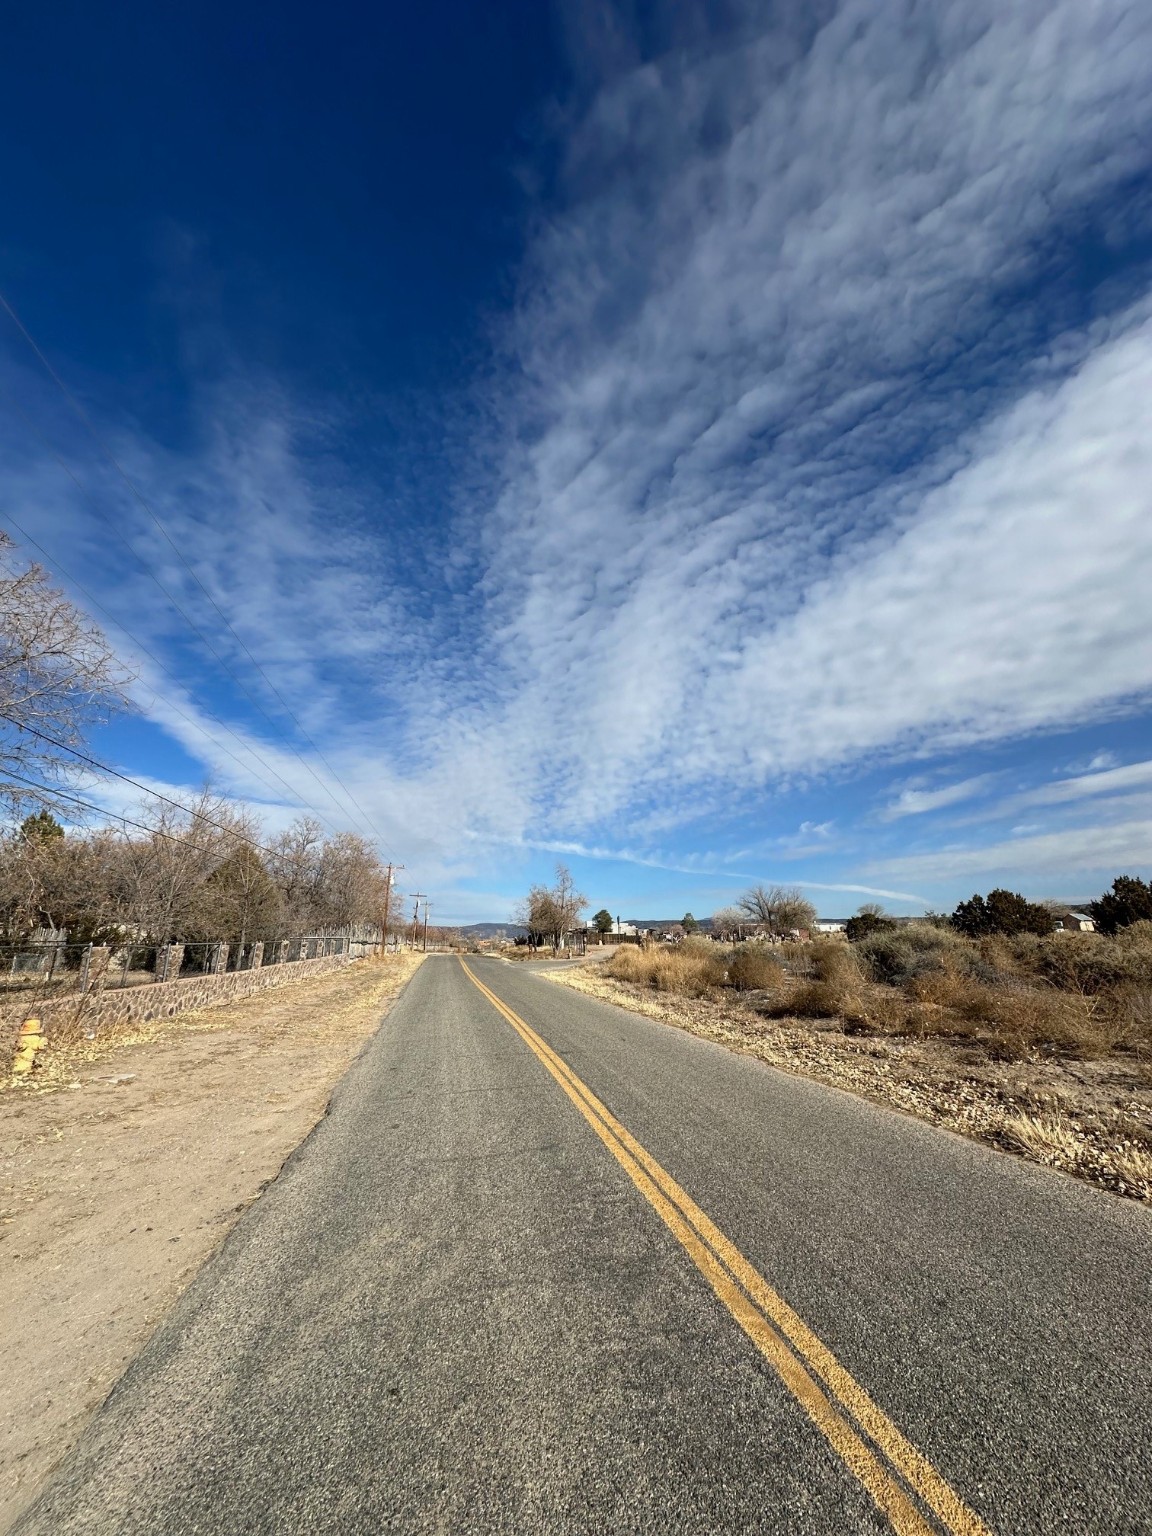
475,1302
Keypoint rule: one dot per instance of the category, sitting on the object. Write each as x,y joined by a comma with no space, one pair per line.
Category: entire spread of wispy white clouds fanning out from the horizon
813,457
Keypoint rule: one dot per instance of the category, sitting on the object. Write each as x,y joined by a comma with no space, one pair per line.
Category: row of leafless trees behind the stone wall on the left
180,869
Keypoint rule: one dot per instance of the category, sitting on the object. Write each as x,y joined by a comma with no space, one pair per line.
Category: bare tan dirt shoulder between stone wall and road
125,1165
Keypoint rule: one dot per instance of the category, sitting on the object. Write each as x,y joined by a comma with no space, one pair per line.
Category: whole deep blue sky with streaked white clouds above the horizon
706,445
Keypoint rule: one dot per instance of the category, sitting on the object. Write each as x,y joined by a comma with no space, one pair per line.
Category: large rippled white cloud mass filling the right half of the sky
733,346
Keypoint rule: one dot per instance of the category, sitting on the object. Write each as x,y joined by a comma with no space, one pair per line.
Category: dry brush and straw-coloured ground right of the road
1034,1041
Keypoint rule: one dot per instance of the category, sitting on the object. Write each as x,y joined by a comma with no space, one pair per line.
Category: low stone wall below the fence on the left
96,1010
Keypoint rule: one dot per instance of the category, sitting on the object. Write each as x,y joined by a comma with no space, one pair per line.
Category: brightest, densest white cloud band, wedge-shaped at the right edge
1013,604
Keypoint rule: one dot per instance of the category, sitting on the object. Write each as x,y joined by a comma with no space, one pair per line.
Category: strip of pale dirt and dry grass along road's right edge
1088,1119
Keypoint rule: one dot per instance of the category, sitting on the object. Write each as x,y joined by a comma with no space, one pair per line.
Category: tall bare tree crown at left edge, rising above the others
58,680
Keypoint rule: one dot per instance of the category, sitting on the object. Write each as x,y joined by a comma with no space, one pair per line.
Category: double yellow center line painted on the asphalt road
889,1466
